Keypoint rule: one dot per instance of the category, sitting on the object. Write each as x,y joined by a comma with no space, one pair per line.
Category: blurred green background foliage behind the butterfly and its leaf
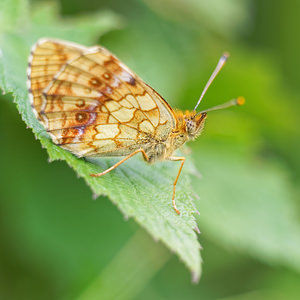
57,243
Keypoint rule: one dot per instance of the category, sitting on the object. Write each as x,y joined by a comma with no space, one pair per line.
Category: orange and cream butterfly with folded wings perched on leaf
93,105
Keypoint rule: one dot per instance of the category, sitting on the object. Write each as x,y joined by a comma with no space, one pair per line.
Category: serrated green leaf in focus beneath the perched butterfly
139,190
